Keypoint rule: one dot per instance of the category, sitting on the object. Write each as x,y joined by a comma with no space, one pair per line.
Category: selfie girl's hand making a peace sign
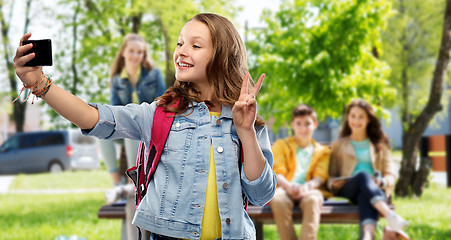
245,109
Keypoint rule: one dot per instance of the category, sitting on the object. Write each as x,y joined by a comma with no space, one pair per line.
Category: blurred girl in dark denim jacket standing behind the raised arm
133,79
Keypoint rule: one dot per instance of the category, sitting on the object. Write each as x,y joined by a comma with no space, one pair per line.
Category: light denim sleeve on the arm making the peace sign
261,190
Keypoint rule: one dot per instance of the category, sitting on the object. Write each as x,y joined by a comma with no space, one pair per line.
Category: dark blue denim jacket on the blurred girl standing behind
149,86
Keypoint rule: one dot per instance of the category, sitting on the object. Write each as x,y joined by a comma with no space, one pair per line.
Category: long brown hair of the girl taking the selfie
225,71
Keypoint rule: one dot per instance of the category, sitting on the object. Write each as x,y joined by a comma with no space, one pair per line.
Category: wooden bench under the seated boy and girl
332,212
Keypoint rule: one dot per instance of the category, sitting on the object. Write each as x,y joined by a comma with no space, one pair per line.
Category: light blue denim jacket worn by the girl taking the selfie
175,198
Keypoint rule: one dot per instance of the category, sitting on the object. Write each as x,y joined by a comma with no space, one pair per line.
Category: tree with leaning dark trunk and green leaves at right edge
417,55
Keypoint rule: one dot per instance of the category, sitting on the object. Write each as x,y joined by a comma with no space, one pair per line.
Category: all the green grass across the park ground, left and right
47,216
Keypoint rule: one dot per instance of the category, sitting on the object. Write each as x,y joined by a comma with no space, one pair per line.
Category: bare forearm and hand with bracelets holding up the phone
64,103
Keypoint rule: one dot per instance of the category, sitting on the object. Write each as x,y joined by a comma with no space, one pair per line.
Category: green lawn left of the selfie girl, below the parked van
47,216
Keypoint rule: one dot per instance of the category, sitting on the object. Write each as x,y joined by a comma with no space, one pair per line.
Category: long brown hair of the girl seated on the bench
373,129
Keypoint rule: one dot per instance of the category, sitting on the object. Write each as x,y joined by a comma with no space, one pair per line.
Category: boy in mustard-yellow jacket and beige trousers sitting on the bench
301,165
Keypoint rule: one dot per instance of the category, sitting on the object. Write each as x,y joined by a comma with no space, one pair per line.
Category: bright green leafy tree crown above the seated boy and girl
323,53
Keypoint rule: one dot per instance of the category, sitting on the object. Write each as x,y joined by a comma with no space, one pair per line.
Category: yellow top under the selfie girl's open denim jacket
211,222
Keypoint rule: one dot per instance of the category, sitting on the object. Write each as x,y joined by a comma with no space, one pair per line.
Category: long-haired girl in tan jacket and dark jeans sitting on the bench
361,169
